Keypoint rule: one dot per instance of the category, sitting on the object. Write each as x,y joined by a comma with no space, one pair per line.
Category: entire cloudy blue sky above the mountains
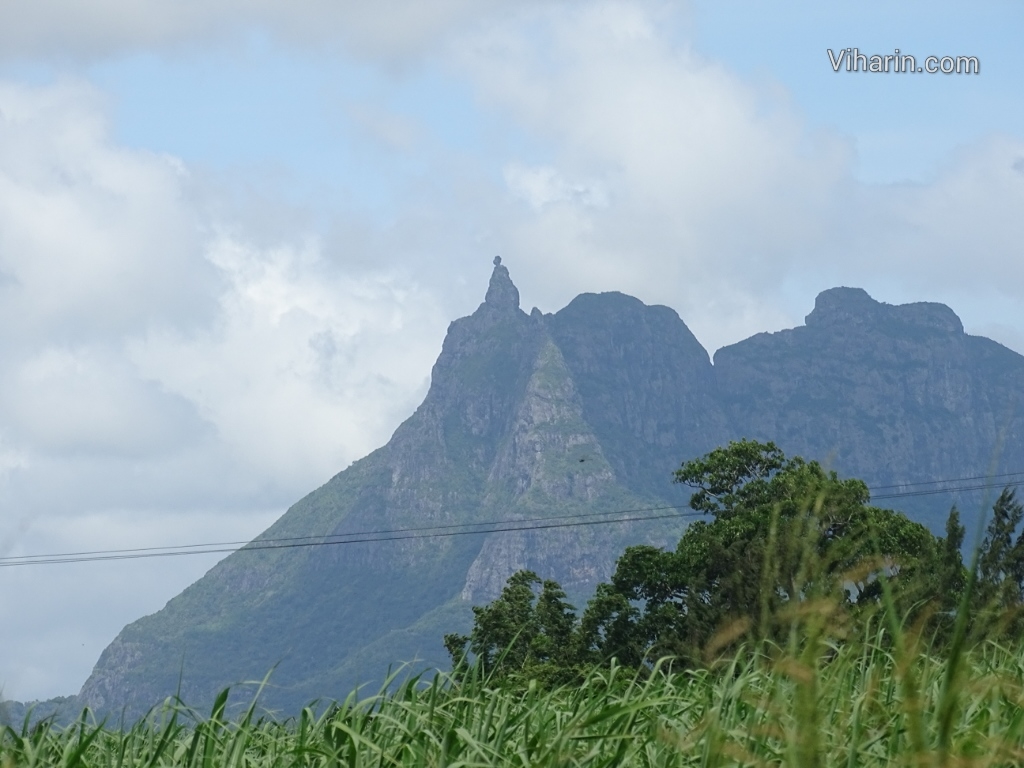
233,235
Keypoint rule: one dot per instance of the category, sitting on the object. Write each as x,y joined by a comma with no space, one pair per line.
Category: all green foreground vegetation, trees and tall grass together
801,627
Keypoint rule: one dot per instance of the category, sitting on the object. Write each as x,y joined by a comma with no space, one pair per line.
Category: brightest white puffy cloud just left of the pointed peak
307,369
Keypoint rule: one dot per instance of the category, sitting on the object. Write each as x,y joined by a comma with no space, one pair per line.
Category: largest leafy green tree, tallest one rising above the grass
785,532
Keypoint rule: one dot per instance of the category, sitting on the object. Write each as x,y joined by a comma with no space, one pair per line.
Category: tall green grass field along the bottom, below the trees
864,704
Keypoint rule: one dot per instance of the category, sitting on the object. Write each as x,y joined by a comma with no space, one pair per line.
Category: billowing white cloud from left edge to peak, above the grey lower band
132,326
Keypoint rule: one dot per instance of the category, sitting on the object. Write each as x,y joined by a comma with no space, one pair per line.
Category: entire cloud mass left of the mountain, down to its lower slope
164,379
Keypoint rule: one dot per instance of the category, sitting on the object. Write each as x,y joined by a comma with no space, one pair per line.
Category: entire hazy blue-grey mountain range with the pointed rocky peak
573,414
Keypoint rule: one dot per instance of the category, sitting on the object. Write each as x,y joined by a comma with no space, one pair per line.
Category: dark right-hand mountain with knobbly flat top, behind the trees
886,394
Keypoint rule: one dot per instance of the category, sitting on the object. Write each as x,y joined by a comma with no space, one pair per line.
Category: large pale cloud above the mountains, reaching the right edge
670,178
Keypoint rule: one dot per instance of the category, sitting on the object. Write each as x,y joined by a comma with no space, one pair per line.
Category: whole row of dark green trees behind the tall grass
788,543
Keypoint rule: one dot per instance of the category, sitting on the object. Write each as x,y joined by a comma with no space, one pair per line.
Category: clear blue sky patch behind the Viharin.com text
905,127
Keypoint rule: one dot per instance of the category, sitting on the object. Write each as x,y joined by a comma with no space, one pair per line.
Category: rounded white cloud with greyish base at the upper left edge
95,239
